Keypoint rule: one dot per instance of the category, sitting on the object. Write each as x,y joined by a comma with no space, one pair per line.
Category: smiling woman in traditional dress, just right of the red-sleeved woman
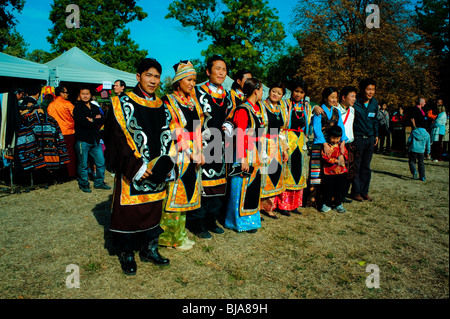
275,147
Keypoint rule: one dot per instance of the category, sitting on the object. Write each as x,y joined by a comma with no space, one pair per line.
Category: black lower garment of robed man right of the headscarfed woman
206,216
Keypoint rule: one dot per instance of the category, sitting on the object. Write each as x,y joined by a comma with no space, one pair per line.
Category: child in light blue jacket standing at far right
418,145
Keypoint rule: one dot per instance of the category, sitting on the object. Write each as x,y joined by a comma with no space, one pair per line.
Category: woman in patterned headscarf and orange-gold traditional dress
183,194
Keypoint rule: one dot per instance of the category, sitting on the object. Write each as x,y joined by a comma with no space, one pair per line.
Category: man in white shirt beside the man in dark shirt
347,98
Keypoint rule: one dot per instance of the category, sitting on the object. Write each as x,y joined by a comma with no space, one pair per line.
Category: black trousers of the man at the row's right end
363,156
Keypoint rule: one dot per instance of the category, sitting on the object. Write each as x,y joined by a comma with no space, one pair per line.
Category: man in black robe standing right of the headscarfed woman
216,104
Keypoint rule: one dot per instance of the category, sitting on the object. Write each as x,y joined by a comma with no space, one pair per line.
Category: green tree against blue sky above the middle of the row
246,33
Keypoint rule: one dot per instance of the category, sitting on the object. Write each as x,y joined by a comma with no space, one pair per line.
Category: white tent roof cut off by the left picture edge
11,66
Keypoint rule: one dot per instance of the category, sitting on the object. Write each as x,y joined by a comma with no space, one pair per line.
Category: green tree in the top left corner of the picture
11,42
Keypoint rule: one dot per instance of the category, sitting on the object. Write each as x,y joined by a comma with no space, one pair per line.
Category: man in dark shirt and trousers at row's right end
365,130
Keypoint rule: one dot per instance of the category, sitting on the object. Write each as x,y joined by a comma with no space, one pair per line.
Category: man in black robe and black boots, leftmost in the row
138,141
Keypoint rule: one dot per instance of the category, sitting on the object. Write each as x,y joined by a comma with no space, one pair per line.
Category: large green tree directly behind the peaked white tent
102,33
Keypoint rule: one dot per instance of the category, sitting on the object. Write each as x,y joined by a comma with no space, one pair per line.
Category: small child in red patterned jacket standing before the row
334,170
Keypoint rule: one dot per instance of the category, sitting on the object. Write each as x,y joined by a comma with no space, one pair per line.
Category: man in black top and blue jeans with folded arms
88,121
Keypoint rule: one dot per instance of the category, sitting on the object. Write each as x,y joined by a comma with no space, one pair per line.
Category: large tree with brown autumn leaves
338,48
